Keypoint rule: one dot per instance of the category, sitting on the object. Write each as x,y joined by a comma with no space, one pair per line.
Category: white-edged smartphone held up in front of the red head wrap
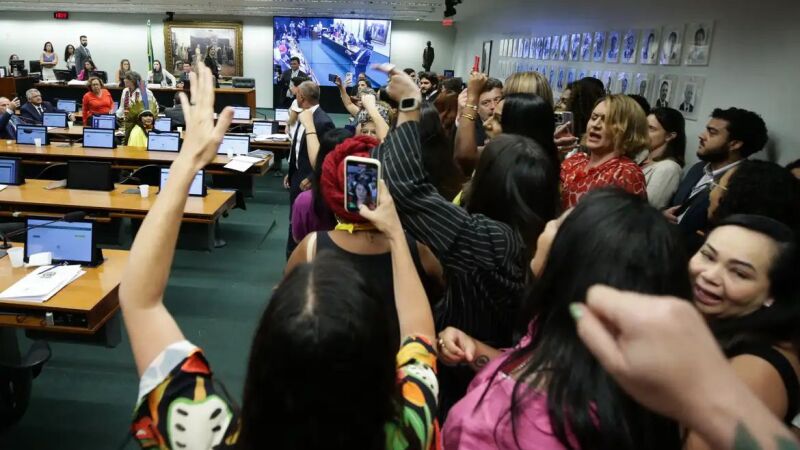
361,177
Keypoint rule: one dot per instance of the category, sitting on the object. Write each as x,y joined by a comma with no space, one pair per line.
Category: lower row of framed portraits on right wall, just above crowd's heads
683,93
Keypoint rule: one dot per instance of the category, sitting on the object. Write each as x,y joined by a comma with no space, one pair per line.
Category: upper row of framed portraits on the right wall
662,46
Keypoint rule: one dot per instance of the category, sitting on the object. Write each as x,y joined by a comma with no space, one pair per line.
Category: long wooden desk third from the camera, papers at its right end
121,158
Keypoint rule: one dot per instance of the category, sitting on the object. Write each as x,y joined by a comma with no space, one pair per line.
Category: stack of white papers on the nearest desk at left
41,284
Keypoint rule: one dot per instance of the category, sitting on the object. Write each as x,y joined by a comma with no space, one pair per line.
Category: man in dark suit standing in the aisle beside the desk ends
299,163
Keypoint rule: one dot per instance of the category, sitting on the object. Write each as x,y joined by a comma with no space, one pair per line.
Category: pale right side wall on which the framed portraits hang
754,60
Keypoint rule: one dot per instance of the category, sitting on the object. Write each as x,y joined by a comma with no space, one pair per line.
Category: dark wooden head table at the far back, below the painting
164,96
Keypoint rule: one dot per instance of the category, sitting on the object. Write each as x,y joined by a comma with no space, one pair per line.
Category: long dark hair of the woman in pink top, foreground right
614,238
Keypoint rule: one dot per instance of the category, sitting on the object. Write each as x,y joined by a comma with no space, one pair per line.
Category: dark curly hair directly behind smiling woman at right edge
763,188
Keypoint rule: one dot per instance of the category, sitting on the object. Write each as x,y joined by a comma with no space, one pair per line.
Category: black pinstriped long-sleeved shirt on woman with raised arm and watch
483,259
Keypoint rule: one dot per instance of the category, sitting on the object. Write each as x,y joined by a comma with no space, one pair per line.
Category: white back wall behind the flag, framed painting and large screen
113,37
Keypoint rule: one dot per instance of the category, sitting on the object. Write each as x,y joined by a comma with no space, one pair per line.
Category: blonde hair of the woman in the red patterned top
627,122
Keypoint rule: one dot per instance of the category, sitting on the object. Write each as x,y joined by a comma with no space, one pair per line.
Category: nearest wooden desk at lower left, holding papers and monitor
81,307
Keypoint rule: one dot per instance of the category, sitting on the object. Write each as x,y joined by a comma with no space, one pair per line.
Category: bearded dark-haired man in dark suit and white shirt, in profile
730,136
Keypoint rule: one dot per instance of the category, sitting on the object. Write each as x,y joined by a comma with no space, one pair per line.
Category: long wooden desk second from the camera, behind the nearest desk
32,198
